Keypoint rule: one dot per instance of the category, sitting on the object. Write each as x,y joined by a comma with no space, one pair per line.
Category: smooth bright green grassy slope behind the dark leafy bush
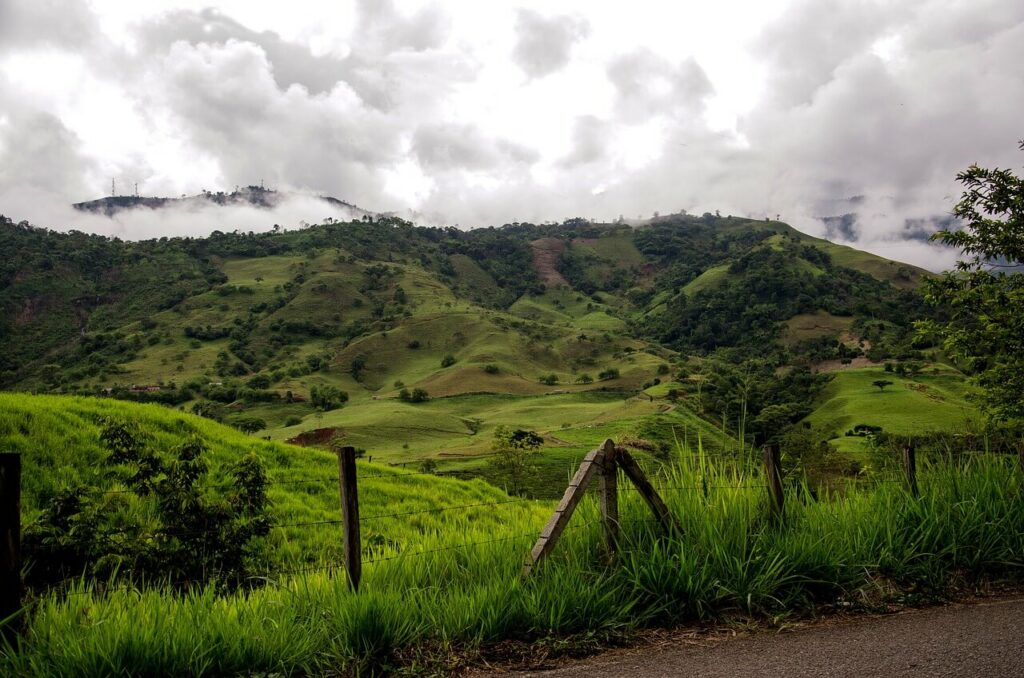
59,441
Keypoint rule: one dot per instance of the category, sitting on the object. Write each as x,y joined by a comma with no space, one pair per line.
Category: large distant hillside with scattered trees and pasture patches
248,328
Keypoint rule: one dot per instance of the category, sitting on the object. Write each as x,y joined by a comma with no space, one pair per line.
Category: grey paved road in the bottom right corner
977,640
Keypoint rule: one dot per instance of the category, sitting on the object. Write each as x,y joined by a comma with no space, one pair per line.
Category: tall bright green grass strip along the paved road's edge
729,559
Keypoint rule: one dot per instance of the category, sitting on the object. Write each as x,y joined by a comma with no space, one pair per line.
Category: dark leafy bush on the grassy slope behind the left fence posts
190,536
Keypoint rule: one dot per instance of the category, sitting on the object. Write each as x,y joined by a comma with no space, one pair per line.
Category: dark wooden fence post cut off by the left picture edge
11,539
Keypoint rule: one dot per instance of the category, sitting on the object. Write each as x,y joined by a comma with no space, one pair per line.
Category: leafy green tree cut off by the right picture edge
986,293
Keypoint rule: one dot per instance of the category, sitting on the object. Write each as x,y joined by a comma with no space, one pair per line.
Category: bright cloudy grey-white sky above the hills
475,114
